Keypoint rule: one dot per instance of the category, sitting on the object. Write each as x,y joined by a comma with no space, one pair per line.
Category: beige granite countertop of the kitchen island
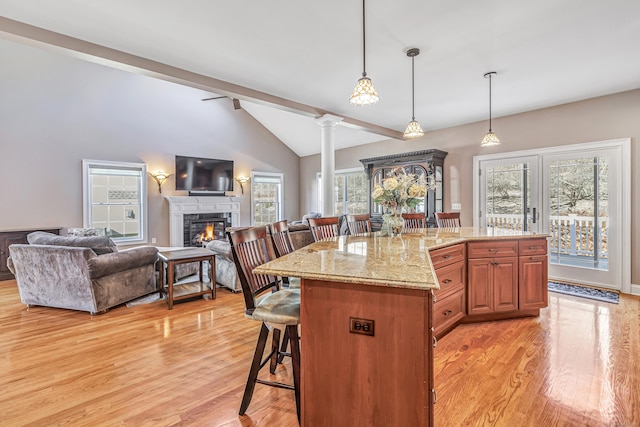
372,259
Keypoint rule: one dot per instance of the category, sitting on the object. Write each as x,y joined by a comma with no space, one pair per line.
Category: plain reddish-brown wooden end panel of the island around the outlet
383,378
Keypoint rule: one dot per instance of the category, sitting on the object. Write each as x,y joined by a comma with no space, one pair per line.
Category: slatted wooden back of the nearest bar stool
249,249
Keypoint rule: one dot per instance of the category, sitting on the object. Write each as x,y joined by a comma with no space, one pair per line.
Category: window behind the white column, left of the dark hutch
351,191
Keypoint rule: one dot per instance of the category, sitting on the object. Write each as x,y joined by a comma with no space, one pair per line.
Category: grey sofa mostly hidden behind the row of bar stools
226,273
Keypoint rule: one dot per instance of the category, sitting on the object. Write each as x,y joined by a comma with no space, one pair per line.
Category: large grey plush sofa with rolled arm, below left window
81,273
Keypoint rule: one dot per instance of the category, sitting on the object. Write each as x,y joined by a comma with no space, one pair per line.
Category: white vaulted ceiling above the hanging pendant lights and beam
545,53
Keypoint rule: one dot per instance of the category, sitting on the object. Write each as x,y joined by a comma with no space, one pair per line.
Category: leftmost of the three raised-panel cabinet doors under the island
480,280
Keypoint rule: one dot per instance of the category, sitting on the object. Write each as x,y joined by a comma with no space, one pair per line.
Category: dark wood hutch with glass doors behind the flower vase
425,162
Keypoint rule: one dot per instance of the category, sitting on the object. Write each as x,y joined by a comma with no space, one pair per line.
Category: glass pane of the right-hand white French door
579,212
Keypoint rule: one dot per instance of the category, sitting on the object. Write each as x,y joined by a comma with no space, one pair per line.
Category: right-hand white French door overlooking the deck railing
583,216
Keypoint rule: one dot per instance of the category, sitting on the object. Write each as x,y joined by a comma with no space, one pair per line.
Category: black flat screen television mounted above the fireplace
196,174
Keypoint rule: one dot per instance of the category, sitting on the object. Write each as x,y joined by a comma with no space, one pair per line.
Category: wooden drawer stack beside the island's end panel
449,301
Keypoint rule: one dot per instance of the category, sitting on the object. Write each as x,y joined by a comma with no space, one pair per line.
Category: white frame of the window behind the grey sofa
87,166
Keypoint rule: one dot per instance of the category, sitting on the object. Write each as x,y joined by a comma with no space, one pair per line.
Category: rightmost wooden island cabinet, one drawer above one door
533,270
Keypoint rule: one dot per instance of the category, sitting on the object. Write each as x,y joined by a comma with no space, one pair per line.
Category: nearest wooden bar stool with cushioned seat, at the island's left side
279,307
